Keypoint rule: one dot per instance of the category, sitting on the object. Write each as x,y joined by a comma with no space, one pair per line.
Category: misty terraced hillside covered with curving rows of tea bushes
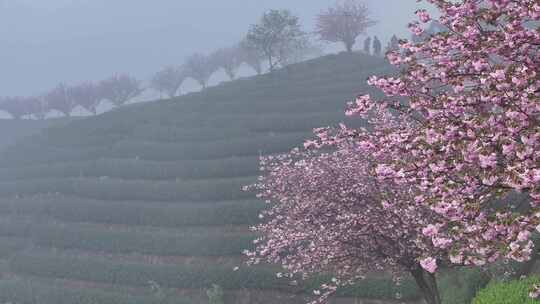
144,204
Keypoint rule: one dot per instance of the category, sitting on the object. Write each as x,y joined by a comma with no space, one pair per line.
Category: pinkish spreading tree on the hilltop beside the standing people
344,22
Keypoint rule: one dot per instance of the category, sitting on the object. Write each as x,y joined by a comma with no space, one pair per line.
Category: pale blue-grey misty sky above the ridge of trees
44,42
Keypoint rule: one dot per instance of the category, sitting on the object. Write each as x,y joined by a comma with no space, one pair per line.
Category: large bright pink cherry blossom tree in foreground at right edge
470,132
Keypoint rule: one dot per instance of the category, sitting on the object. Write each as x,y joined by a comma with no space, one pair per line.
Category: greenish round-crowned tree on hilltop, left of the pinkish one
275,36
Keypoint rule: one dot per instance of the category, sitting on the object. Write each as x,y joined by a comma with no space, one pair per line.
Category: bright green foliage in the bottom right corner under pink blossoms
513,292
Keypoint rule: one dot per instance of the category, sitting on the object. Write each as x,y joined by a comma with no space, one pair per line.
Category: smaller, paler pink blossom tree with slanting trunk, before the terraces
330,213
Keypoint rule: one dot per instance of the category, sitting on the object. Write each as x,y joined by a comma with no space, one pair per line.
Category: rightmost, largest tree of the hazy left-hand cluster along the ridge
120,88
